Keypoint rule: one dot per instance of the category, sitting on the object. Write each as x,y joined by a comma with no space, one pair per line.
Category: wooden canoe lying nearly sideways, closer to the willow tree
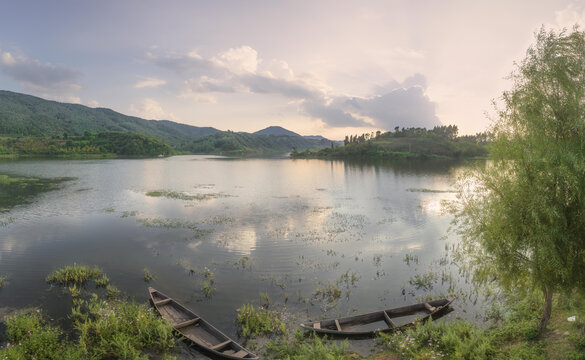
367,325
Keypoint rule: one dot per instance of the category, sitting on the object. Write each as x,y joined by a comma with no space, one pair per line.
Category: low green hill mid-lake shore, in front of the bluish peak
245,144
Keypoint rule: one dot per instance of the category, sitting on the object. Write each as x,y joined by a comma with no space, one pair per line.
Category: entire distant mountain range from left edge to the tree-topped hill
30,116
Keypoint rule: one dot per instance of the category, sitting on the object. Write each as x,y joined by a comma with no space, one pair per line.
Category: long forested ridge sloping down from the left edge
26,115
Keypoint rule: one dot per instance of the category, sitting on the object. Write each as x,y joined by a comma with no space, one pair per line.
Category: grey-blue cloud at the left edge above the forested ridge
40,77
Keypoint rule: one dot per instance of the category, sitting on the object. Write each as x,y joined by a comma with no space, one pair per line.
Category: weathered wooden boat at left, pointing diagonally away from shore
196,329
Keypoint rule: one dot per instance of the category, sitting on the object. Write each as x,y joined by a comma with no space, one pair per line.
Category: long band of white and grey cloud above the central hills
241,70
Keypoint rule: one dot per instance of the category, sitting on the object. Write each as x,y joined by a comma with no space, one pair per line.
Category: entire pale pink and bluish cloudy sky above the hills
330,68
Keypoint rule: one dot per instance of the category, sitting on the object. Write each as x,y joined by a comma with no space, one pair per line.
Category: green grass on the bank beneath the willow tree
512,336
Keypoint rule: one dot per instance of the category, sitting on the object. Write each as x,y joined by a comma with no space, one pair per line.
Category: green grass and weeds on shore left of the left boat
102,329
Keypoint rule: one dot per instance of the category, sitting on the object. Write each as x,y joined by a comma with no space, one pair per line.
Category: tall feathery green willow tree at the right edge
522,216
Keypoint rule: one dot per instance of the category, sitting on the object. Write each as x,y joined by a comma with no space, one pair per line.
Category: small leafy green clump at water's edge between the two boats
254,321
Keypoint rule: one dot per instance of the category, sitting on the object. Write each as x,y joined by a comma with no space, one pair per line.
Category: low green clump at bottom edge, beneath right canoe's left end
300,348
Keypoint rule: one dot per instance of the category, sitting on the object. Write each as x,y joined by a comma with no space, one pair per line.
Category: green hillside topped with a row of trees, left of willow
440,142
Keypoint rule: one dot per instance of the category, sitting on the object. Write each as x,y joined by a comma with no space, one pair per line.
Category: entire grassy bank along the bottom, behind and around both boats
105,327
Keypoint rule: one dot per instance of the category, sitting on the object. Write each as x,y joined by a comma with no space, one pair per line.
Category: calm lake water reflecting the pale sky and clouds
284,228
